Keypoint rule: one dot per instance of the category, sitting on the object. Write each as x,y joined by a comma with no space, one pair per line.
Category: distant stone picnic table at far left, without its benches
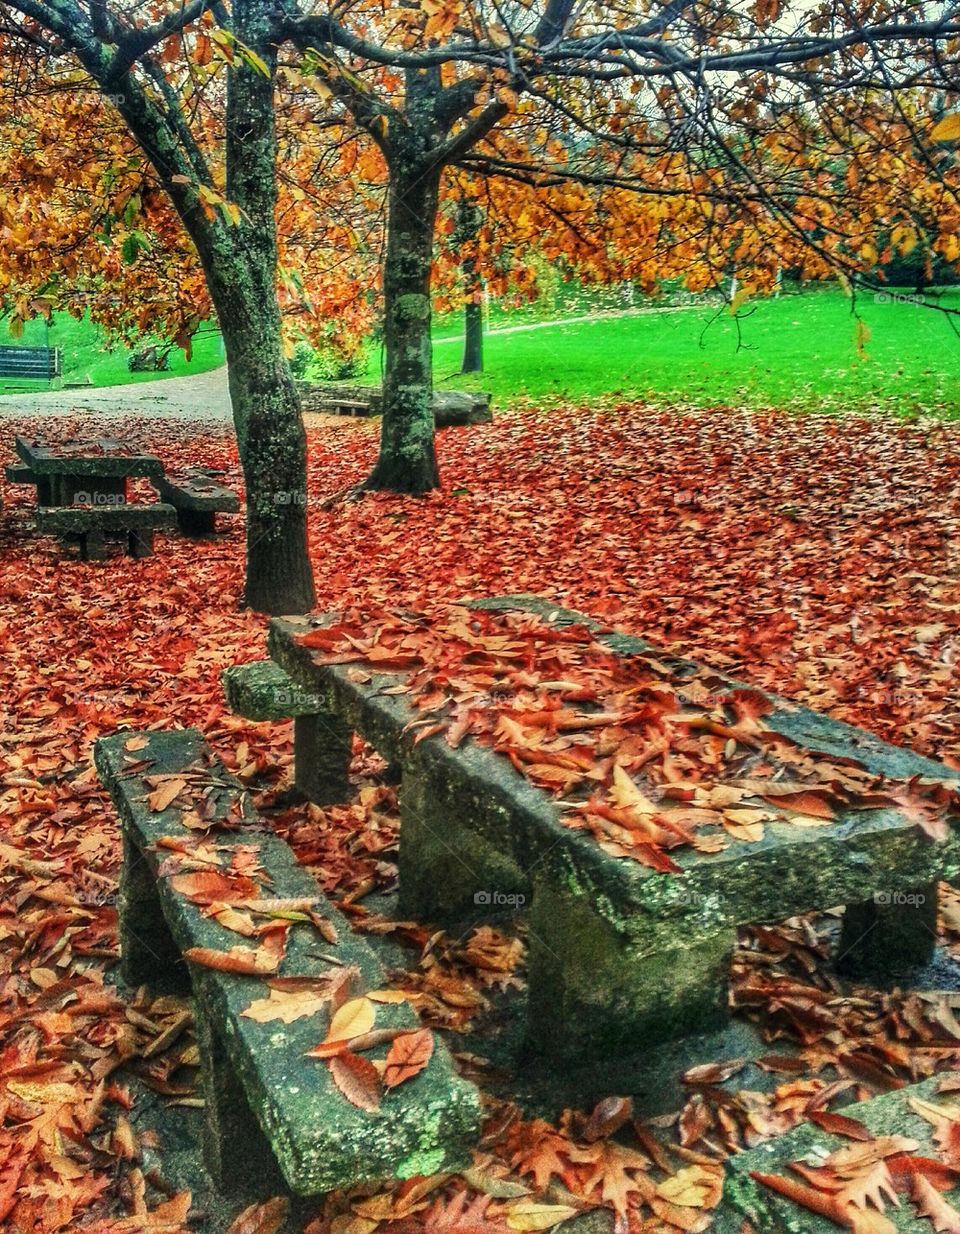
88,472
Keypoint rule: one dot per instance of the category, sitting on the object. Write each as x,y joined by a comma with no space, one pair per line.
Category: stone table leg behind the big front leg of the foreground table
449,871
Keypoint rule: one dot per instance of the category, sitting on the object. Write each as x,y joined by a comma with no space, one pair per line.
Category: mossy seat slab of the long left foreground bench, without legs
320,1141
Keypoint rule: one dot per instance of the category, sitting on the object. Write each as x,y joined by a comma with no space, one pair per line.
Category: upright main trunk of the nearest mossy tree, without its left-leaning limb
242,280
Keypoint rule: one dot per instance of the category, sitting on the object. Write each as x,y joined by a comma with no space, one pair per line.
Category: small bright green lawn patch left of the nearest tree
86,355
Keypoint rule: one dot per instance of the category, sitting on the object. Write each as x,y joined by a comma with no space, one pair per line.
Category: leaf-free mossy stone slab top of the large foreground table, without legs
479,794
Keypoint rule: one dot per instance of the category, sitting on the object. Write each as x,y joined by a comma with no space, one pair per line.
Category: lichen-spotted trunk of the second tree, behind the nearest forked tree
408,461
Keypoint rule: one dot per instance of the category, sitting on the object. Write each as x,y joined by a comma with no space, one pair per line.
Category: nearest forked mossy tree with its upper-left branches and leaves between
159,75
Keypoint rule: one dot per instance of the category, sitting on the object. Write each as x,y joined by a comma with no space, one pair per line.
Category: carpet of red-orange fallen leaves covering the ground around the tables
813,557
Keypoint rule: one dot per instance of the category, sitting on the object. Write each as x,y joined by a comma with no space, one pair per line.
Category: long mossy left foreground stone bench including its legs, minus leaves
267,1105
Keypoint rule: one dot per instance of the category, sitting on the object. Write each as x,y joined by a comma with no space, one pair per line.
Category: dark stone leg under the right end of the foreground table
889,935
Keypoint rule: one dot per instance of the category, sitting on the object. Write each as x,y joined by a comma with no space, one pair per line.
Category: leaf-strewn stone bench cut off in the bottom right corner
750,1205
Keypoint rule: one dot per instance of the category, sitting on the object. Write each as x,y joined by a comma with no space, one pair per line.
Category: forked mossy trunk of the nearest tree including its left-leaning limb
240,265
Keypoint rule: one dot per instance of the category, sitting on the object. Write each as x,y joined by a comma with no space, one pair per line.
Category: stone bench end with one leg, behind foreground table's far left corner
263,693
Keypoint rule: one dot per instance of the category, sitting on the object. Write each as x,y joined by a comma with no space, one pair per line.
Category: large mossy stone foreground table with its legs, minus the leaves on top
620,954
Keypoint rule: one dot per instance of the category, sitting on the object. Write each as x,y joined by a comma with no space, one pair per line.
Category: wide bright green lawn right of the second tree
797,352
